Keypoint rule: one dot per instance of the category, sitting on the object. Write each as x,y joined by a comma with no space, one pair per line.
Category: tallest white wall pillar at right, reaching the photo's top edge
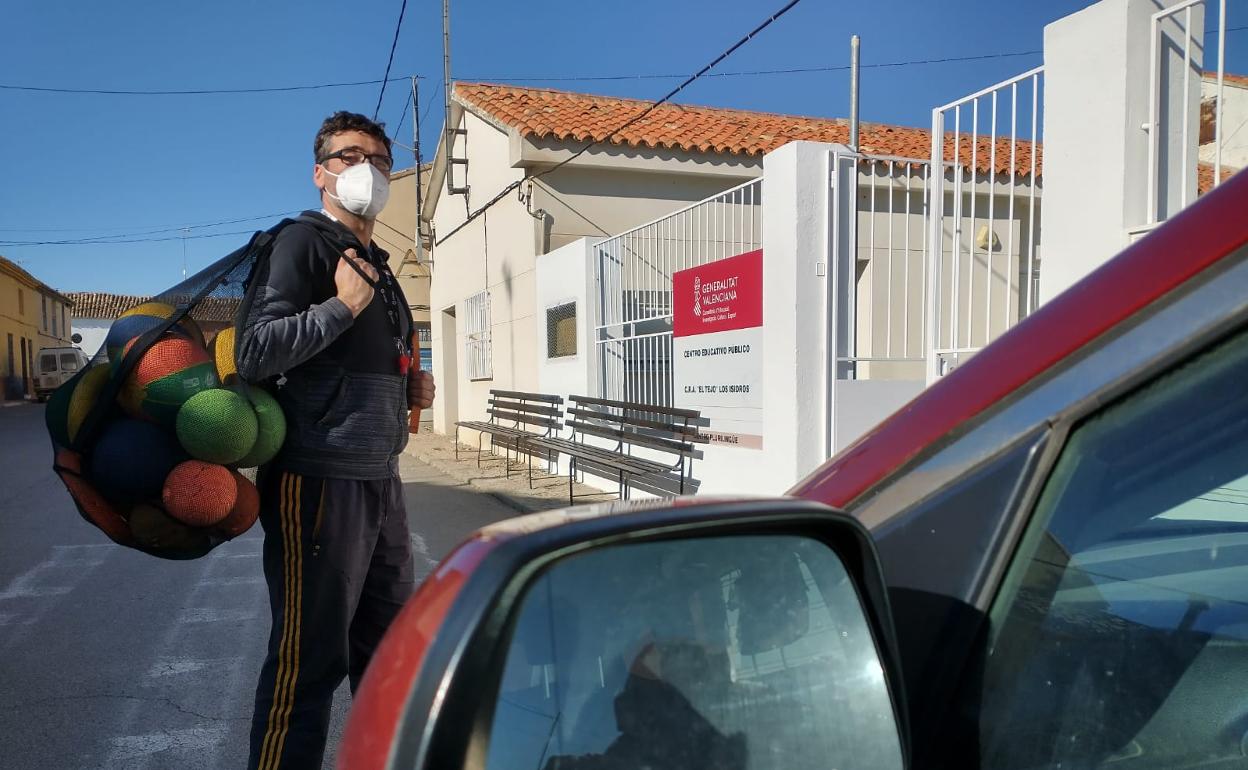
1096,155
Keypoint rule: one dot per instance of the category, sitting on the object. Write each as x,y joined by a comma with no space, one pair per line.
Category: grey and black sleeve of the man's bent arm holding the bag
285,325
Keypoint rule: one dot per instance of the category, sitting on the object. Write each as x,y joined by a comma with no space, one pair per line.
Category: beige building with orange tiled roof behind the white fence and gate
519,177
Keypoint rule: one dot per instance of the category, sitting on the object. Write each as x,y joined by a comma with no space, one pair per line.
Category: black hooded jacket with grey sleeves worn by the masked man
339,380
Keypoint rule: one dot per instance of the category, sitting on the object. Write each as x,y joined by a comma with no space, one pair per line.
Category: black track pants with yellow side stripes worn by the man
339,566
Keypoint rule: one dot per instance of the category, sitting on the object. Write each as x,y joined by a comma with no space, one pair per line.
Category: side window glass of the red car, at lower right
1120,638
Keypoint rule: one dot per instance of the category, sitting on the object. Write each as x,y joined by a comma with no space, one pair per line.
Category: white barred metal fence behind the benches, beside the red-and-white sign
633,284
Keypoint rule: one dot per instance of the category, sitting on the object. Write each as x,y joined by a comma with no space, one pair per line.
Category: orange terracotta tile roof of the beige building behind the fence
565,115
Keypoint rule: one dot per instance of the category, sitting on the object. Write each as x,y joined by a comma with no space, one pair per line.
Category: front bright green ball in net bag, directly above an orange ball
218,426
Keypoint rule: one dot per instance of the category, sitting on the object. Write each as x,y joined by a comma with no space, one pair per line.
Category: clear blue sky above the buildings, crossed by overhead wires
82,167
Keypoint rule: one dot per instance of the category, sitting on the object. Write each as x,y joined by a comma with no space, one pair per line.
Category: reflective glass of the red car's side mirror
746,653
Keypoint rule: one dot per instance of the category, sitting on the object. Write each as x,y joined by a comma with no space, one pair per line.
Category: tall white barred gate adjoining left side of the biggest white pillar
983,219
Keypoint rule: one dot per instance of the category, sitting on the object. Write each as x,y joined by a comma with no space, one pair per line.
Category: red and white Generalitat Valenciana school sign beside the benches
718,348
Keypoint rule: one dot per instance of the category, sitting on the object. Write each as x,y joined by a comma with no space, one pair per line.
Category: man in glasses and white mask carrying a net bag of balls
330,321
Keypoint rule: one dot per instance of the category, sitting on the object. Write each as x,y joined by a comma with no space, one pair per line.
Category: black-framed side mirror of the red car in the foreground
714,636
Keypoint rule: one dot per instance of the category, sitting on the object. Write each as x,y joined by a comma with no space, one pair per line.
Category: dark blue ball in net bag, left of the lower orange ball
132,459
